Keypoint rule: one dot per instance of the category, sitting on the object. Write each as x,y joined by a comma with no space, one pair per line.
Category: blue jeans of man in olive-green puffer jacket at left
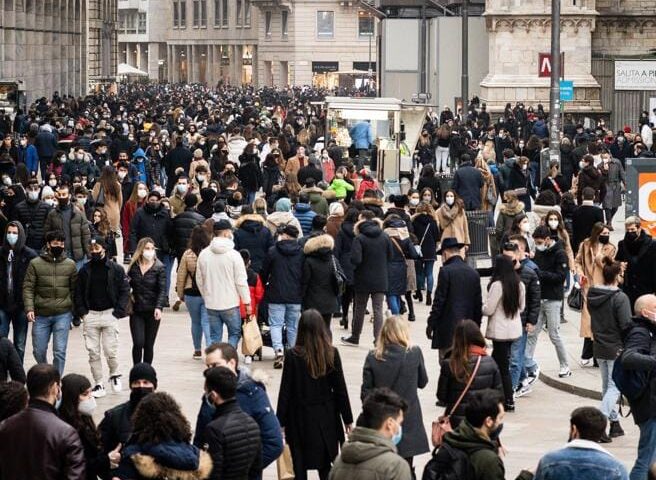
58,326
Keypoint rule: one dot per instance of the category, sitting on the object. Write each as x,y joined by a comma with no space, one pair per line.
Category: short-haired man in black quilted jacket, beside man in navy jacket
233,437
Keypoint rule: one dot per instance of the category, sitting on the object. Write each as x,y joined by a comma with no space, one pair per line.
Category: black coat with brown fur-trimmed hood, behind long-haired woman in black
318,285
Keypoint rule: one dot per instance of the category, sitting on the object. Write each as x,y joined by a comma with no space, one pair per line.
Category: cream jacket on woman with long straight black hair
499,326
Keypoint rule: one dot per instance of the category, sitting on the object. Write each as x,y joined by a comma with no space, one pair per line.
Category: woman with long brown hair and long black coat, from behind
313,404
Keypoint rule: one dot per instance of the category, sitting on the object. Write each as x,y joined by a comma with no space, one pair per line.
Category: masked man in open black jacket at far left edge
15,257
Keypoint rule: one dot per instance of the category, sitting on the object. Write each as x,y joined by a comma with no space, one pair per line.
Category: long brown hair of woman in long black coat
314,345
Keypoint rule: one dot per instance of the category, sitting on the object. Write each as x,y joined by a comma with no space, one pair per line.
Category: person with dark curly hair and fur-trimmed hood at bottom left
160,446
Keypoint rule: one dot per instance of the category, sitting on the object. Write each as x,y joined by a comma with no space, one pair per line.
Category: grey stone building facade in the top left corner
57,45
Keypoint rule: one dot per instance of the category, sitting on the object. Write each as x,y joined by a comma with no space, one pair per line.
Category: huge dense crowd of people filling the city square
236,200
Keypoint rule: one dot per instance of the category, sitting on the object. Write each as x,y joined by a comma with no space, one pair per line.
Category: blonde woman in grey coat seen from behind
398,365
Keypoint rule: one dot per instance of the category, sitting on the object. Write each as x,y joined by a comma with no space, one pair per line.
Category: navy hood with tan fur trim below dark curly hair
172,460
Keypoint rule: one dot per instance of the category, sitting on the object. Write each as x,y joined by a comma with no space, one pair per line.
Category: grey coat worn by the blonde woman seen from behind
403,372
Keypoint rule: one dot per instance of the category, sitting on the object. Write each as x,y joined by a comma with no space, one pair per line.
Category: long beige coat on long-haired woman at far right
589,263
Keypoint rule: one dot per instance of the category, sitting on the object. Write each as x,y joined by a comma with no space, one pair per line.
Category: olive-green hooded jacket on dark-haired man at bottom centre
369,456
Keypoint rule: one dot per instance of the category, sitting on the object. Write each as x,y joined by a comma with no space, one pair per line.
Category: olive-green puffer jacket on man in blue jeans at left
49,285
